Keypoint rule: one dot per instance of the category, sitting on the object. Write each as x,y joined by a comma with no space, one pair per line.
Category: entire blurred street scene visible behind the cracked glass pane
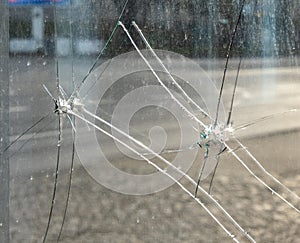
42,40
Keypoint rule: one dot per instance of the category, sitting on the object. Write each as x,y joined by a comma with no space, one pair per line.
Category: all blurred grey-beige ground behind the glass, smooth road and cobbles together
97,214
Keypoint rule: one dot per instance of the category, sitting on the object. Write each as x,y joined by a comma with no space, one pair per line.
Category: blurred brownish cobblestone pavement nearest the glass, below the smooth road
96,214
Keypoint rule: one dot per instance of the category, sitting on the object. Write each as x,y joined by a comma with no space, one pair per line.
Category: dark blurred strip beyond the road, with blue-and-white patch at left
191,28
